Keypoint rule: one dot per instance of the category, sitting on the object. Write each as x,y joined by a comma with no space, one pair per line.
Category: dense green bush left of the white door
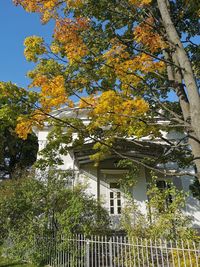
32,211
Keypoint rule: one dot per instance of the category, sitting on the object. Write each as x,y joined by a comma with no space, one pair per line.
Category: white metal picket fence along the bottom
103,251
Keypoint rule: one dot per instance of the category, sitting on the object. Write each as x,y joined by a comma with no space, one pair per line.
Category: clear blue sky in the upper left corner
16,25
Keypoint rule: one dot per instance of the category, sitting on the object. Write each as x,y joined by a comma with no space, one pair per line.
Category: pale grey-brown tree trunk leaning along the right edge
188,79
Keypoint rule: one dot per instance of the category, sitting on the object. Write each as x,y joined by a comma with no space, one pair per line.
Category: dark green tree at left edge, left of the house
16,155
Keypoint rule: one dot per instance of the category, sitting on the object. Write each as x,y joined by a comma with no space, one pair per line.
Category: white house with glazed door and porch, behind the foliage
102,180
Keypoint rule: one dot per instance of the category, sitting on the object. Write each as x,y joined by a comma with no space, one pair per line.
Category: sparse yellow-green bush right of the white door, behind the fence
164,219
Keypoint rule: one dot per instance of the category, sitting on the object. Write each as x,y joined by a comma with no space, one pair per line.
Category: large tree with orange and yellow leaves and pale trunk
131,54
